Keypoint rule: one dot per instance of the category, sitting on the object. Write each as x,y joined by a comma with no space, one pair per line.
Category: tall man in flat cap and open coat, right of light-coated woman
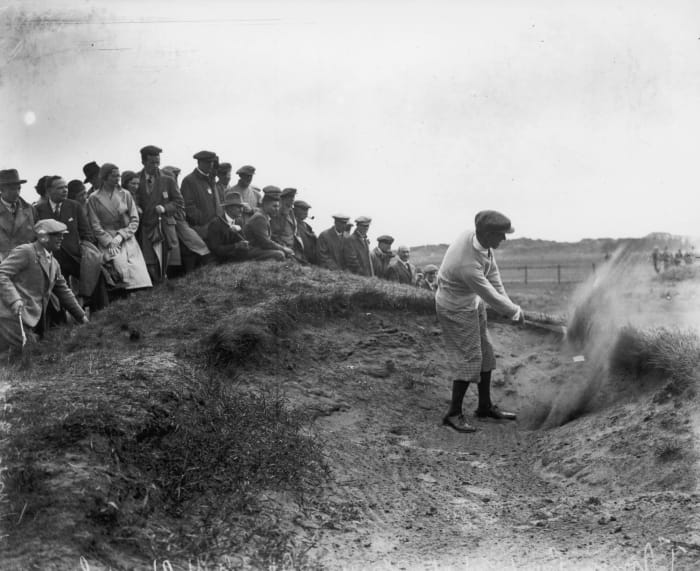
161,204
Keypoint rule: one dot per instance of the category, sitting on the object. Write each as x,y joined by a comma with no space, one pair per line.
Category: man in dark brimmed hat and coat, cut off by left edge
16,215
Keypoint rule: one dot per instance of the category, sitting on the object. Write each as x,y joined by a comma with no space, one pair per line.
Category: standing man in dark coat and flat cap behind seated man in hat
202,202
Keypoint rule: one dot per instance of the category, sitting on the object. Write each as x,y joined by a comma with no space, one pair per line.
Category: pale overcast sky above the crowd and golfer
575,119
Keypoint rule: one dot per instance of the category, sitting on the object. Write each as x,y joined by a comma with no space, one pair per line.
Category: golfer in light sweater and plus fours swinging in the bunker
468,278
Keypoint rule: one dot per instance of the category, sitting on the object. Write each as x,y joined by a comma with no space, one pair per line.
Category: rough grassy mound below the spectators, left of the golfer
131,438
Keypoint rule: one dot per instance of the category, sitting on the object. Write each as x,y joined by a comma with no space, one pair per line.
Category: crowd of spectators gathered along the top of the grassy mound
84,243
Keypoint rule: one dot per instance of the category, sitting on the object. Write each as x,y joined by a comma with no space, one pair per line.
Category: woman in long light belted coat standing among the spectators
114,219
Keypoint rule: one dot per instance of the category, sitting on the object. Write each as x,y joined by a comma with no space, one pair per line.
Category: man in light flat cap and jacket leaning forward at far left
28,277
